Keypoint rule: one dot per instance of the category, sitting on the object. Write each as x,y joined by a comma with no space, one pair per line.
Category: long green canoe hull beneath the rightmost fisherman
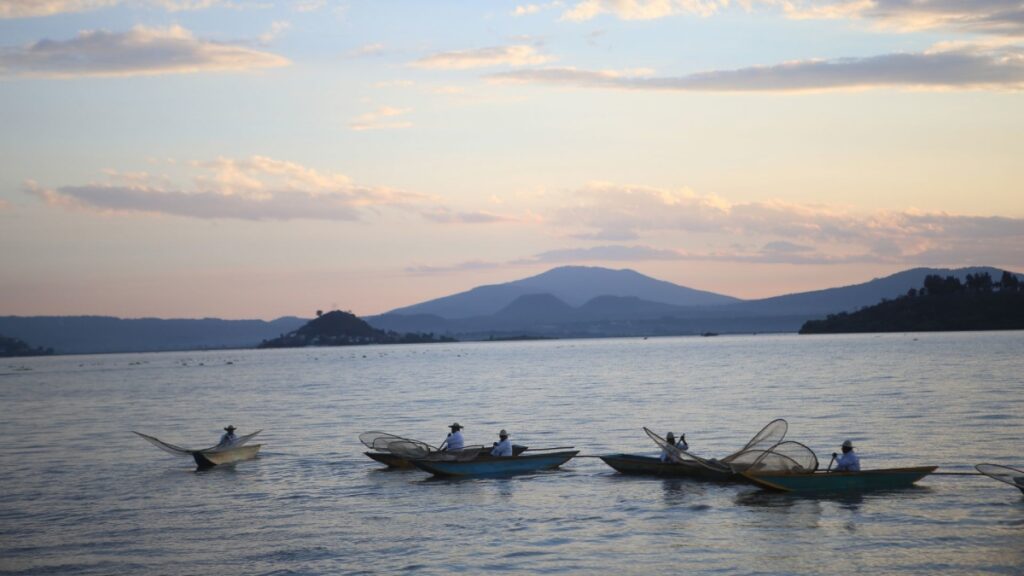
883,479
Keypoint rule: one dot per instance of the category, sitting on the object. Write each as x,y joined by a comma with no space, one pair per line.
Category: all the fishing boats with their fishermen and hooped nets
769,462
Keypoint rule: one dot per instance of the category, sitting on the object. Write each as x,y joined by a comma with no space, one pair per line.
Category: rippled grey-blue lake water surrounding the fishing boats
82,496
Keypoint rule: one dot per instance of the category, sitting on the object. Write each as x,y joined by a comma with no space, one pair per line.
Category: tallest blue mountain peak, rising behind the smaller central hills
573,285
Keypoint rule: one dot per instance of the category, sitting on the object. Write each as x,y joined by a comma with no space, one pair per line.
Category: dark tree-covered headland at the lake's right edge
942,305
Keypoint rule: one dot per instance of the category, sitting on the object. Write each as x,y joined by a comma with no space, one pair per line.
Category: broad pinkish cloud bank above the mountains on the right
781,232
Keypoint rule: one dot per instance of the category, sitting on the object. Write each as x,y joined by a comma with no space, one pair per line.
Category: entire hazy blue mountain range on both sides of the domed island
569,302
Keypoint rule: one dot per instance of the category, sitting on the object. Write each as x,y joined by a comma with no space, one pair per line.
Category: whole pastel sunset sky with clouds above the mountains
258,159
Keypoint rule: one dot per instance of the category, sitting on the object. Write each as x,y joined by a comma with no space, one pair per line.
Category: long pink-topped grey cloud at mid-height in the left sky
254,189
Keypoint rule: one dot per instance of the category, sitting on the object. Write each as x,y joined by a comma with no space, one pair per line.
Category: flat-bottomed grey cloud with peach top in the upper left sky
143,52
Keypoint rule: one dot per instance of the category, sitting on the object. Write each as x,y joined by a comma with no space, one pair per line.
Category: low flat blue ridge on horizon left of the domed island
97,335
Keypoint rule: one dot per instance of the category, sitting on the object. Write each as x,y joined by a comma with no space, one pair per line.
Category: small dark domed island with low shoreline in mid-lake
339,328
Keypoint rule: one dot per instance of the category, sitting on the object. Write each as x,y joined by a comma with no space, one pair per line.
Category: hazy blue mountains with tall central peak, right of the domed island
578,302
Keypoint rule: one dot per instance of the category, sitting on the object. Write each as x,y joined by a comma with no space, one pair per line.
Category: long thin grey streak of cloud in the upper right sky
950,67
